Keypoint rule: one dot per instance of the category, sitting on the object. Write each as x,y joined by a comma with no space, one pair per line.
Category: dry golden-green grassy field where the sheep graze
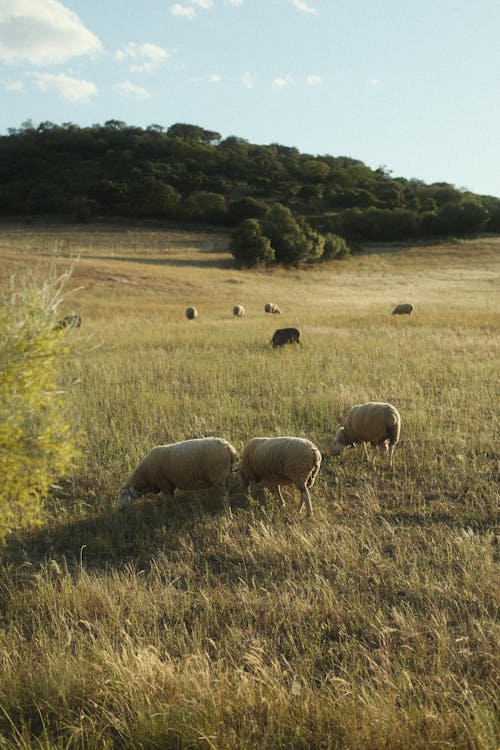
372,625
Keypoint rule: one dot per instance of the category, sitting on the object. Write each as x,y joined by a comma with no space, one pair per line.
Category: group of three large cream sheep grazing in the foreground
202,463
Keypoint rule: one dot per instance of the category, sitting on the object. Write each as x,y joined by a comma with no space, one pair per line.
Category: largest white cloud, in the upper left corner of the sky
42,32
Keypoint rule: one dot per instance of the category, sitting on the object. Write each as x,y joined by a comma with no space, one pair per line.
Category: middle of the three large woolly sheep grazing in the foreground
281,461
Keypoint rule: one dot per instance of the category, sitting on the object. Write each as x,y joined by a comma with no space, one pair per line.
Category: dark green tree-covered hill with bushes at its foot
187,173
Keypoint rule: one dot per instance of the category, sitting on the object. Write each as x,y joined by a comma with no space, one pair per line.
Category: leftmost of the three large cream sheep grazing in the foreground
189,465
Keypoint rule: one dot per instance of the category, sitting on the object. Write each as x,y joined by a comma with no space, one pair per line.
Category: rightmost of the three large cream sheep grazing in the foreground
373,422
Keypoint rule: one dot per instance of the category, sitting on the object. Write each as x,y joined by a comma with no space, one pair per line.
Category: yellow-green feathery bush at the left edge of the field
36,441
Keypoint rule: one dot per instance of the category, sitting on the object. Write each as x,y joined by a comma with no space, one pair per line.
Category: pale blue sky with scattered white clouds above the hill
410,86
